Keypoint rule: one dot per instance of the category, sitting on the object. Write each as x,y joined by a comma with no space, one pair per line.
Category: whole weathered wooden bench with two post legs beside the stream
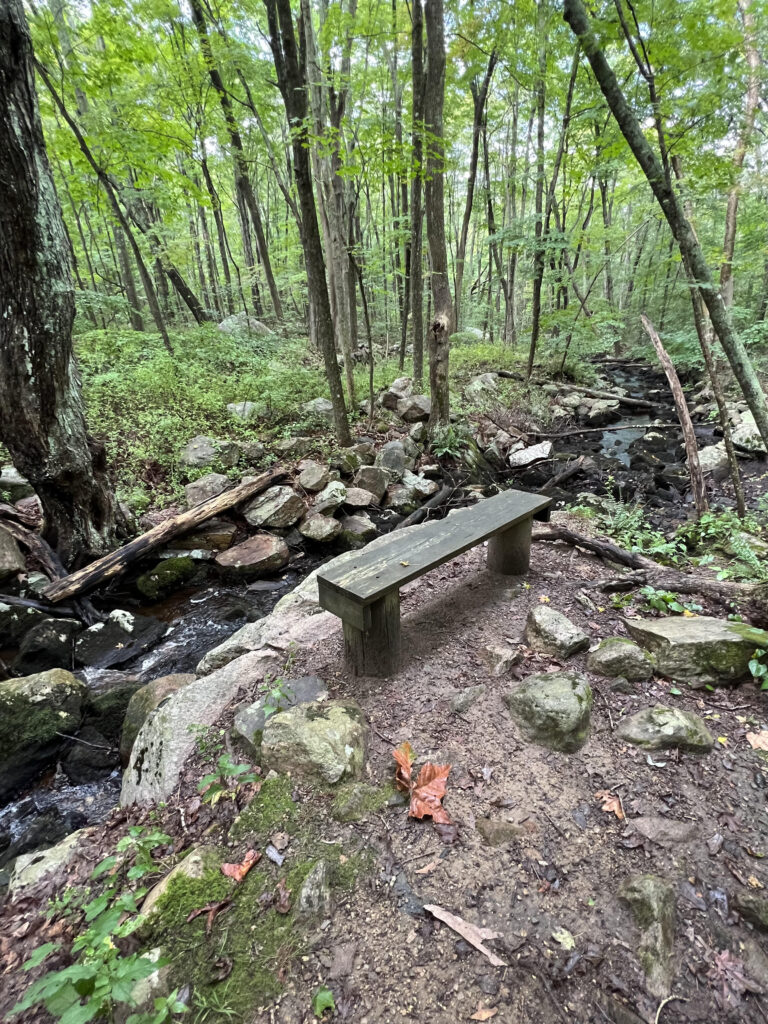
365,591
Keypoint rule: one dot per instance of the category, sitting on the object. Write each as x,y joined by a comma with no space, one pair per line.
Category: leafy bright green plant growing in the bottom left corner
102,976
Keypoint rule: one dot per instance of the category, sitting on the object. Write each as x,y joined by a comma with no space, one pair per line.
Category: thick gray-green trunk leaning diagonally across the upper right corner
691,250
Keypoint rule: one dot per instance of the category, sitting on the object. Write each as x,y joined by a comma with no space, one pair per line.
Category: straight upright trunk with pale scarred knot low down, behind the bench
443,318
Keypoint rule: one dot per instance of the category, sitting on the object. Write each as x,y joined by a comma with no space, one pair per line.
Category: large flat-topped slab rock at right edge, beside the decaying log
701,651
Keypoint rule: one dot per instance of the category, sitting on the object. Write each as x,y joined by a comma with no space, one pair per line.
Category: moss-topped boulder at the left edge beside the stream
37,713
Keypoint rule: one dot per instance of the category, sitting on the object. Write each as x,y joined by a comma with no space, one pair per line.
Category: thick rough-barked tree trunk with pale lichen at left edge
42,421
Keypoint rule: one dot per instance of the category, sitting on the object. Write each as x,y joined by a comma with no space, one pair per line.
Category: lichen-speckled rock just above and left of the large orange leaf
319,743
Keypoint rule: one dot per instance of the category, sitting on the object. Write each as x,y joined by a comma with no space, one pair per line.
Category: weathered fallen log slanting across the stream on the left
117,562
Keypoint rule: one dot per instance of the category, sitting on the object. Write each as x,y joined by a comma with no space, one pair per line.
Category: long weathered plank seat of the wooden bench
390,567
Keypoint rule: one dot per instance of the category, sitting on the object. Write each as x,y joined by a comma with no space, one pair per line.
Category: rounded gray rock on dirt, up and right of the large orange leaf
553,710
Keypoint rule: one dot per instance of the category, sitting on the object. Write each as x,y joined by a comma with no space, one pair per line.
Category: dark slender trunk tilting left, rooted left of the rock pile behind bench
292,81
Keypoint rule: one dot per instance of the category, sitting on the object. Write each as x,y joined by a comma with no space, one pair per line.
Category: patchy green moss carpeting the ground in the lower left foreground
239,967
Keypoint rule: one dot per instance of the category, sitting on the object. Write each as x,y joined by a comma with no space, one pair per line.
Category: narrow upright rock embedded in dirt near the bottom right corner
652,902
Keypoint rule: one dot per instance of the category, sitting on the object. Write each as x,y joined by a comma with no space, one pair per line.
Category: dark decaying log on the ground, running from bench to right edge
752,595
